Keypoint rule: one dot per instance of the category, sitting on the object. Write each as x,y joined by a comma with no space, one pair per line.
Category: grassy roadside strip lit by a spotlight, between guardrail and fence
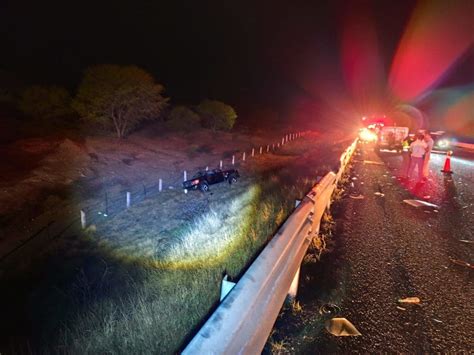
147,293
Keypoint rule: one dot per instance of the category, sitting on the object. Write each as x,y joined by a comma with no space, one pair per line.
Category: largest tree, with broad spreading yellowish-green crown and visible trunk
120,97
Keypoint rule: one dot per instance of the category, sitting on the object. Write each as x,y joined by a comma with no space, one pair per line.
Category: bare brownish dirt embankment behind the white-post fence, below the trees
45,179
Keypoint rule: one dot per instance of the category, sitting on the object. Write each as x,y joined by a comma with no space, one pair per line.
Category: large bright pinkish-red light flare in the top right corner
438,33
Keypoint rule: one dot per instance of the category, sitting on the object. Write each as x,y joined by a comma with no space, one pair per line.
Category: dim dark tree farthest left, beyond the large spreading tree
45,102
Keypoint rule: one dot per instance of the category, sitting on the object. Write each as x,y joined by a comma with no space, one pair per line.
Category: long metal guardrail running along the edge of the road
243,321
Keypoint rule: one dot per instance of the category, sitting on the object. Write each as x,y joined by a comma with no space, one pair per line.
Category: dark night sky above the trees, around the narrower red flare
254,52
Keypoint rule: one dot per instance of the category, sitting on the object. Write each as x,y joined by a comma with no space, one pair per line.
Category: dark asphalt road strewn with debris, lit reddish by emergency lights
385,250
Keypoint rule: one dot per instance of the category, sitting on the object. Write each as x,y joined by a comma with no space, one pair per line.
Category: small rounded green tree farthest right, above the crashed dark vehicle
217,115
